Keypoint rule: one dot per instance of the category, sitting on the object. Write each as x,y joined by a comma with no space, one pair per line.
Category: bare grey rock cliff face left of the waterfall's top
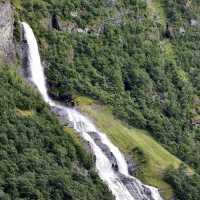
6,31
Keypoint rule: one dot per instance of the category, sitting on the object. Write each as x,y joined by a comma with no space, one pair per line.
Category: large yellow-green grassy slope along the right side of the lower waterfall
157,159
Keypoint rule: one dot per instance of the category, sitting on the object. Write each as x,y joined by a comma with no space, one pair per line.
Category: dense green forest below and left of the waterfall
38,160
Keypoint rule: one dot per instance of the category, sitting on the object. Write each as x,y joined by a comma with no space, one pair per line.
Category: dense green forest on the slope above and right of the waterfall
139,57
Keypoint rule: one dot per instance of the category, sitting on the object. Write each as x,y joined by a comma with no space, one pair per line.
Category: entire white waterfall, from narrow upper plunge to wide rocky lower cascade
110,162
